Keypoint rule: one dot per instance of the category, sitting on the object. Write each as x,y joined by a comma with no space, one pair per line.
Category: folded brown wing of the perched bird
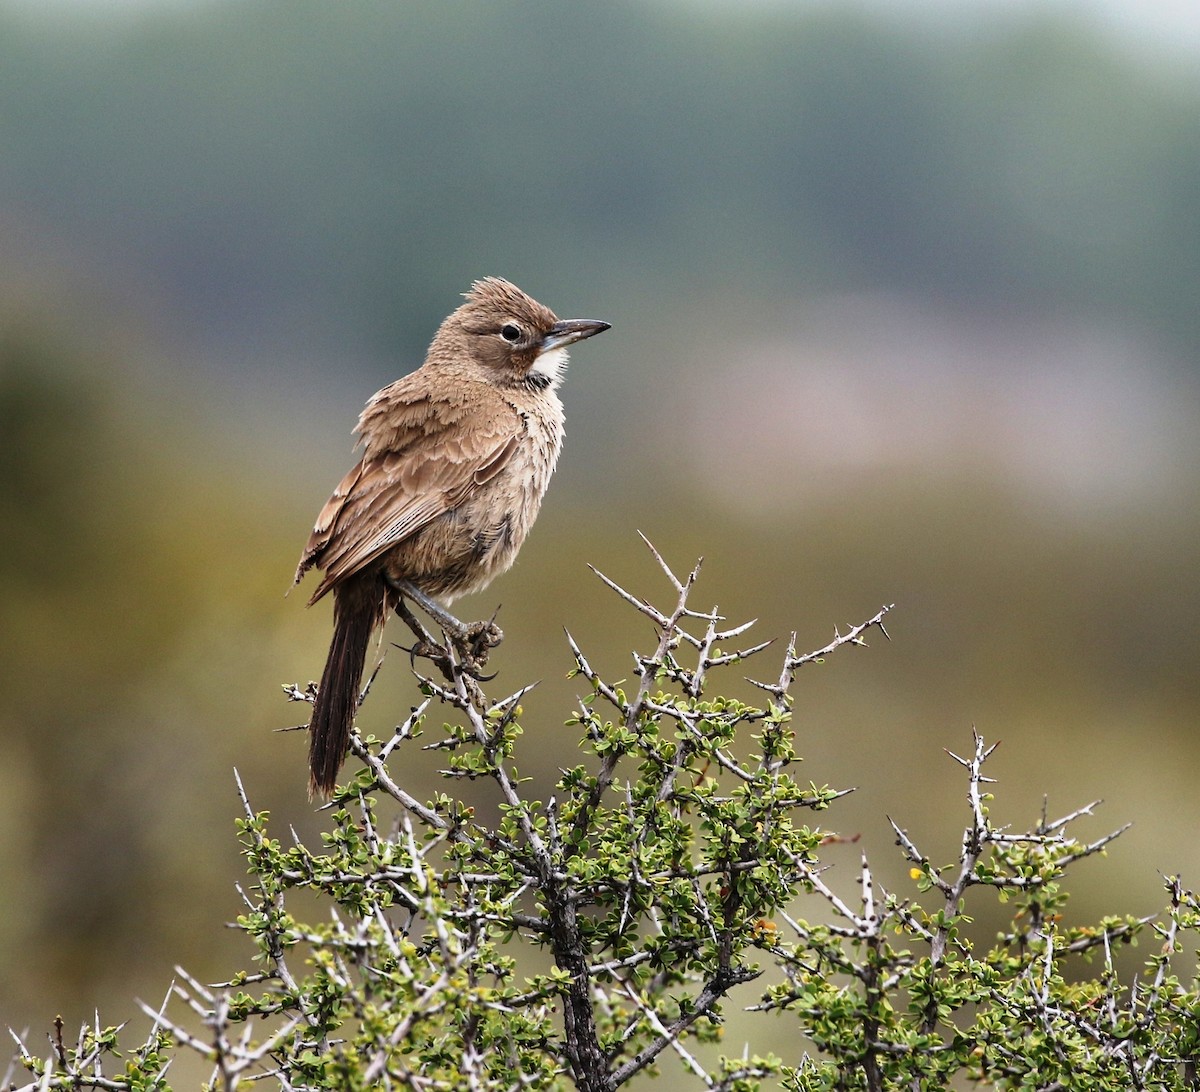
429,465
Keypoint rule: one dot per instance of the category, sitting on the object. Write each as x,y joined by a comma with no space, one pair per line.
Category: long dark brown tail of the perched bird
361,607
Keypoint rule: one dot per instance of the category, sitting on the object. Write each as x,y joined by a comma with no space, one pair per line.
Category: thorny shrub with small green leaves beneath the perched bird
602,934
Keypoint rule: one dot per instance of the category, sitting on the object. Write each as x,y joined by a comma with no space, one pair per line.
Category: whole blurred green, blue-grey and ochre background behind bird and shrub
907,309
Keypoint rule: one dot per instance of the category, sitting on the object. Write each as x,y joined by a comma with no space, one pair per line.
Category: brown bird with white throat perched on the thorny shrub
457,459
